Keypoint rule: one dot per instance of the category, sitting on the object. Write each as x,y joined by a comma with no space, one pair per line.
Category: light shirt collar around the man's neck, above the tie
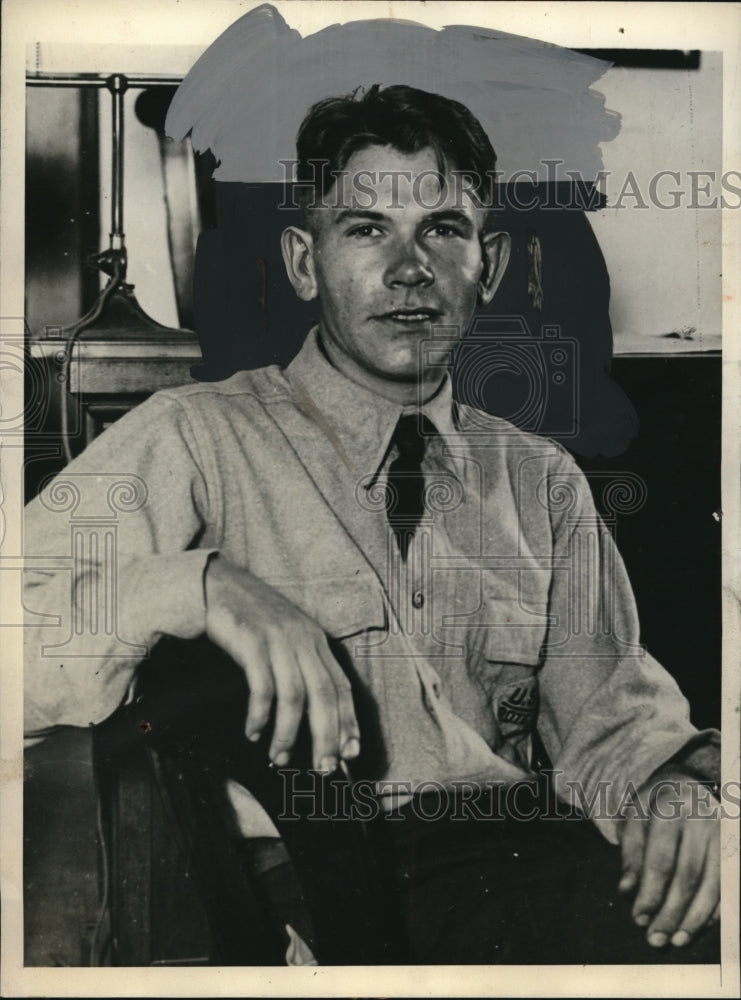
358,422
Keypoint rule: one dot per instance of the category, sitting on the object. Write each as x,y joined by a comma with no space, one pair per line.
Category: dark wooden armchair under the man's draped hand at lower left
184,728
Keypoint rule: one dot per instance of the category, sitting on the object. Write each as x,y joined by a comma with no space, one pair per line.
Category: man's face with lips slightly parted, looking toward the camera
387,274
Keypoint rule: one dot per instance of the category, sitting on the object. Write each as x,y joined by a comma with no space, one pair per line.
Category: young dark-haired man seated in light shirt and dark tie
344,525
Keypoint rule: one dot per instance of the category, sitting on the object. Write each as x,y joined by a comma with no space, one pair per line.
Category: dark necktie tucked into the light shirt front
406,481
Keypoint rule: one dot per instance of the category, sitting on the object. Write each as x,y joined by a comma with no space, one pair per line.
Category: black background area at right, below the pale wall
672,545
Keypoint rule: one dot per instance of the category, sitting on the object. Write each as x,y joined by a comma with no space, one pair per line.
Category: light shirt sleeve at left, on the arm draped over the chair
111,565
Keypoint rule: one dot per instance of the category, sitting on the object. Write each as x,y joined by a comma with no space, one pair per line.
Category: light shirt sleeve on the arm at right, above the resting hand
610,714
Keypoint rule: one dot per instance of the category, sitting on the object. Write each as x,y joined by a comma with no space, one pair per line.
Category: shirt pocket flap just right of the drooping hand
343,606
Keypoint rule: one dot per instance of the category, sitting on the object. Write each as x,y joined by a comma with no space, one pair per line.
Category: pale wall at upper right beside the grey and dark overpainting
664,264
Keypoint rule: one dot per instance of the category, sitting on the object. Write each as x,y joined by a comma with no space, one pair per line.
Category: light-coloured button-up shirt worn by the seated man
512,607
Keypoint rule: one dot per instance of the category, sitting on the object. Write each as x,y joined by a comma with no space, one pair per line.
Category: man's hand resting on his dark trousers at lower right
672,858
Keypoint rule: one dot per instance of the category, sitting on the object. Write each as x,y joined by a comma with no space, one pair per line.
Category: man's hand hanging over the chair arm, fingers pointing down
285,656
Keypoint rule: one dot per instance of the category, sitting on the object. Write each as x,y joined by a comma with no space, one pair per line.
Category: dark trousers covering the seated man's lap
511,891
